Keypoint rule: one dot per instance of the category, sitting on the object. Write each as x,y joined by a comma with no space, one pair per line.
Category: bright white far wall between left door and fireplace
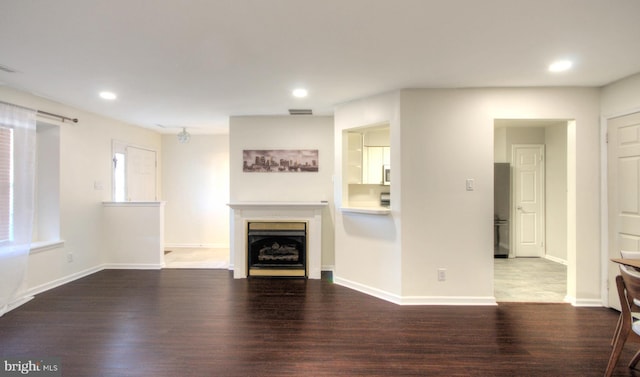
195,186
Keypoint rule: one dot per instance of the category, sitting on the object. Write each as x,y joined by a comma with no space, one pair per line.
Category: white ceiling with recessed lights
194,63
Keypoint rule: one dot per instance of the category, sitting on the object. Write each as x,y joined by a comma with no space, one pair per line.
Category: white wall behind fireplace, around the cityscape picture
285,132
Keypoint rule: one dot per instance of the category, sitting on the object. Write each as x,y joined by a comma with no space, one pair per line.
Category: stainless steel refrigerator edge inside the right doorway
501,208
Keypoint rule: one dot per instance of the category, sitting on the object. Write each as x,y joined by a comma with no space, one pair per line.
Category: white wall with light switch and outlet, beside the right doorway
447,138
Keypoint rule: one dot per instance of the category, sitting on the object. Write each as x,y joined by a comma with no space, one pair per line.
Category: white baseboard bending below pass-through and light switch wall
416,300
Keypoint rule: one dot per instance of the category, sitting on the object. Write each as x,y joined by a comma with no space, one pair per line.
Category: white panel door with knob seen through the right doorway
528,185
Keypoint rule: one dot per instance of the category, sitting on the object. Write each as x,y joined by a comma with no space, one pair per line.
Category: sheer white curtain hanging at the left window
18,126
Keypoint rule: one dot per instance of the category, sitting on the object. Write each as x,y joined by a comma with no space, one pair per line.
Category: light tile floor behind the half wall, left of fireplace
196,258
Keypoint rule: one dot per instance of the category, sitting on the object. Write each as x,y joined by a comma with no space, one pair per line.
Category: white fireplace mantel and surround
244,212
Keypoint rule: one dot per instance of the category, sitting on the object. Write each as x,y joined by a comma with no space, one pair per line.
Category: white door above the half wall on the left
141,174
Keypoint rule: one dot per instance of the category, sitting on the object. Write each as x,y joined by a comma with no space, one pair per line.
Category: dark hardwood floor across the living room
205,323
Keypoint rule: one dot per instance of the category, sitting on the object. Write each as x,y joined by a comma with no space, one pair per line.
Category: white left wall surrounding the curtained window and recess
85,159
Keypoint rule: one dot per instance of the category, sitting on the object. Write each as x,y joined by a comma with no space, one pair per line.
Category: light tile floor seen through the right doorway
529,280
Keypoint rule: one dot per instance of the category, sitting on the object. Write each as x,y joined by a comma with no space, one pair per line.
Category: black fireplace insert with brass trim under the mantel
277,248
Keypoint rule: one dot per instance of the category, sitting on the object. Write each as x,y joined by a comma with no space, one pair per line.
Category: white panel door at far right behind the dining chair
623,183
